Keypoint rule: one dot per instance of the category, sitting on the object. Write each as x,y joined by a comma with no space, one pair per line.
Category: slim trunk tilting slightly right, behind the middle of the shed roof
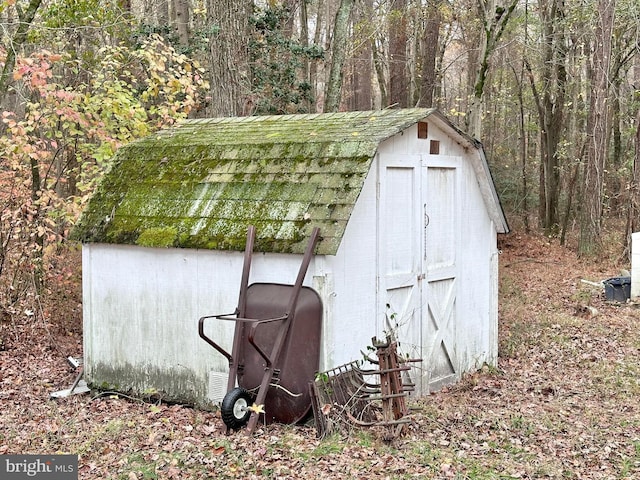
339,53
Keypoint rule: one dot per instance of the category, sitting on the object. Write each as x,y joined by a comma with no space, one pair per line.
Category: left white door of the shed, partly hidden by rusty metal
399,261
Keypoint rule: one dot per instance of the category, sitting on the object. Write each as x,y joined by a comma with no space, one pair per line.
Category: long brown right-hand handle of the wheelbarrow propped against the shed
279,342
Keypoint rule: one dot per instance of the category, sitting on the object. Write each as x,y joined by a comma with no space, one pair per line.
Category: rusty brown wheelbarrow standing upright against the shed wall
276,347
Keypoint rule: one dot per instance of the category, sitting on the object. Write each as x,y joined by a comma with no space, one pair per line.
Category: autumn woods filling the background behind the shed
551,88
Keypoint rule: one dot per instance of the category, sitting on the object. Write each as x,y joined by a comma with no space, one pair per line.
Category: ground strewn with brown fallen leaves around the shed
562,403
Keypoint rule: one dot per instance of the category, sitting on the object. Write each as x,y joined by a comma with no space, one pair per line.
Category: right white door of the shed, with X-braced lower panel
441,226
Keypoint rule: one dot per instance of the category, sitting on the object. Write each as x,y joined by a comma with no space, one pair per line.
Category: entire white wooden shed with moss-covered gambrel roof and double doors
408,217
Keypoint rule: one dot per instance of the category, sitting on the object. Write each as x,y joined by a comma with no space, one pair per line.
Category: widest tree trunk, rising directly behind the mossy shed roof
229,61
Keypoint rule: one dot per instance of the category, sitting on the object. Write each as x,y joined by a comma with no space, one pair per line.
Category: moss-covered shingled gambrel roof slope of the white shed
202,182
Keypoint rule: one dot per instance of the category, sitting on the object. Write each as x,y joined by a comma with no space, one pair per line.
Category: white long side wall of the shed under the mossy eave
141,308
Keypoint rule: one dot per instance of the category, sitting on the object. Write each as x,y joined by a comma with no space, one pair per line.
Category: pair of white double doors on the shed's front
419,229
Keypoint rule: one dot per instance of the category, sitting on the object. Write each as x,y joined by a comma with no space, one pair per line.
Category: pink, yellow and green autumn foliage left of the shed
56,147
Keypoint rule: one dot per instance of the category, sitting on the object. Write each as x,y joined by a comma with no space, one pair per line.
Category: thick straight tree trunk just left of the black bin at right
598,129
